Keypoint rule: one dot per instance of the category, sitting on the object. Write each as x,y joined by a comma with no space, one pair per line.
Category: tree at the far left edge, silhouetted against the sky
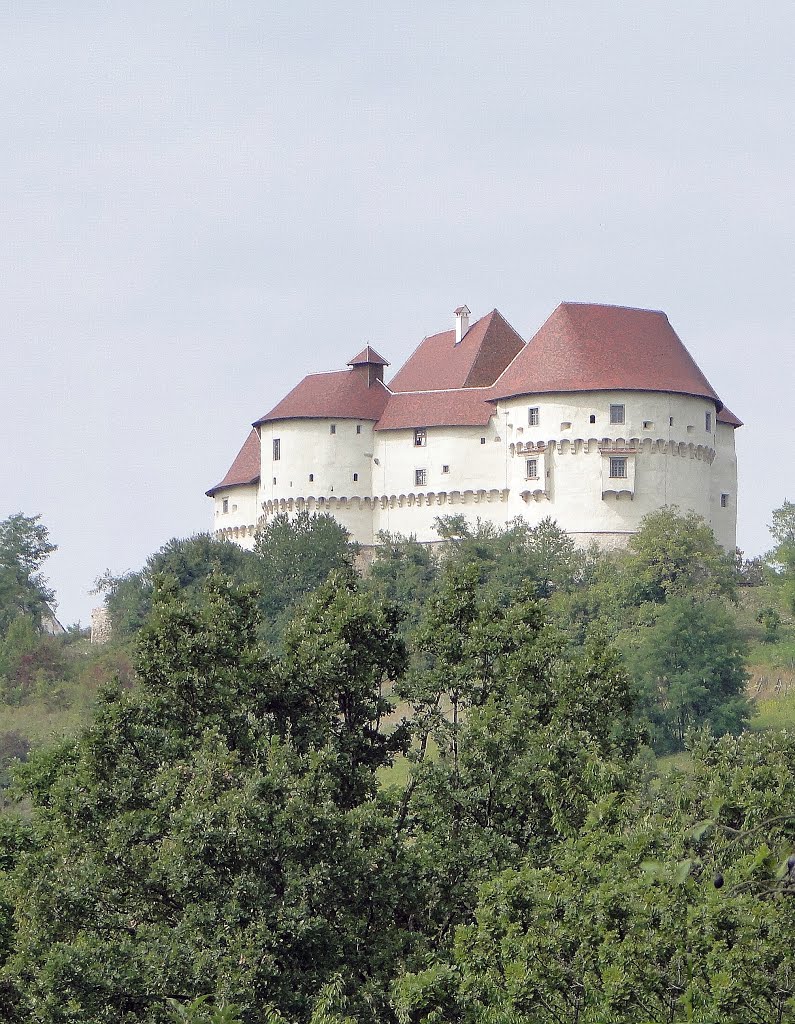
25,546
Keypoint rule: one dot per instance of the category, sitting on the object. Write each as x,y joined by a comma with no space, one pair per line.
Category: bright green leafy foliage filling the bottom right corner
624,923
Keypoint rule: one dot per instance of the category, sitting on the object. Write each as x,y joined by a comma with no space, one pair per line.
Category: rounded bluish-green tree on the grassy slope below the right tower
690,669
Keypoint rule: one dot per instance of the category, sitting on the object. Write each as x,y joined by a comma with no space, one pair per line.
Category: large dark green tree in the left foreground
198,839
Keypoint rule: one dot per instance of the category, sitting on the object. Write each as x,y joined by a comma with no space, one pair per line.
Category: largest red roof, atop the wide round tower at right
587,348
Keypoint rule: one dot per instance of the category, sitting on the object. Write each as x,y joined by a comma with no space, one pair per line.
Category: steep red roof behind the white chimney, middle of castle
440,364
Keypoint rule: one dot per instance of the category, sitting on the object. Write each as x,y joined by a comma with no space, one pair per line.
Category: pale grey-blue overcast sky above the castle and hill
202,202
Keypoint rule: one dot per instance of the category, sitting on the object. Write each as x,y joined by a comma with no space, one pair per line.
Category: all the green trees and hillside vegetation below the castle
290,793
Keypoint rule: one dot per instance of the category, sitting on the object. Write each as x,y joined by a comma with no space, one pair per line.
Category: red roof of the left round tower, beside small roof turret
343,395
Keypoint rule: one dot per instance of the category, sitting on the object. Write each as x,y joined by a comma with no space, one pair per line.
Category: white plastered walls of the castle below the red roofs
366,479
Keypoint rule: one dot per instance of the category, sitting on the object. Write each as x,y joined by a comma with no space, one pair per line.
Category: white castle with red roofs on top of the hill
603,417
